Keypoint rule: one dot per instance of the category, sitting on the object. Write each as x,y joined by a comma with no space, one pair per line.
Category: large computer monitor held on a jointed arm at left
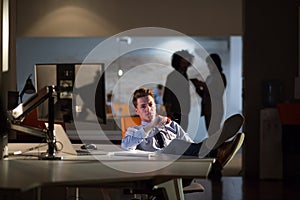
81,89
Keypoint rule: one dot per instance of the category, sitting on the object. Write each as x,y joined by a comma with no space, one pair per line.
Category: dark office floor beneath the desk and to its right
229,188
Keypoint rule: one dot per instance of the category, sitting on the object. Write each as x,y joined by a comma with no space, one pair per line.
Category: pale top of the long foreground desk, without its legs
28,174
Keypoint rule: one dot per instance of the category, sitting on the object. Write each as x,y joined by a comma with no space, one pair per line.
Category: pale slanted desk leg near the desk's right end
173,189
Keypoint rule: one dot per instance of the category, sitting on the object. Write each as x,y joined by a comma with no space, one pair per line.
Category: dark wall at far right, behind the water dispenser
270,51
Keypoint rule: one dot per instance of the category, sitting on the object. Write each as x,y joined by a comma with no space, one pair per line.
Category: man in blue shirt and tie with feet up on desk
157,133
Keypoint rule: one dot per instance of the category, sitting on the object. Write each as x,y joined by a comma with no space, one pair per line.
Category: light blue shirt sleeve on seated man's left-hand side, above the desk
133,137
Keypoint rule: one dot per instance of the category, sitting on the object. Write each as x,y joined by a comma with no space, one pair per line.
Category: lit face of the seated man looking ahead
146,108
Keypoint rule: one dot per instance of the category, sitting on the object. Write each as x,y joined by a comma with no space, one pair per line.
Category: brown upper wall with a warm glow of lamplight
90,18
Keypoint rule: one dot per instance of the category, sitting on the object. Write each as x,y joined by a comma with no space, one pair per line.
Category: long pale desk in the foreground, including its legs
21,175
